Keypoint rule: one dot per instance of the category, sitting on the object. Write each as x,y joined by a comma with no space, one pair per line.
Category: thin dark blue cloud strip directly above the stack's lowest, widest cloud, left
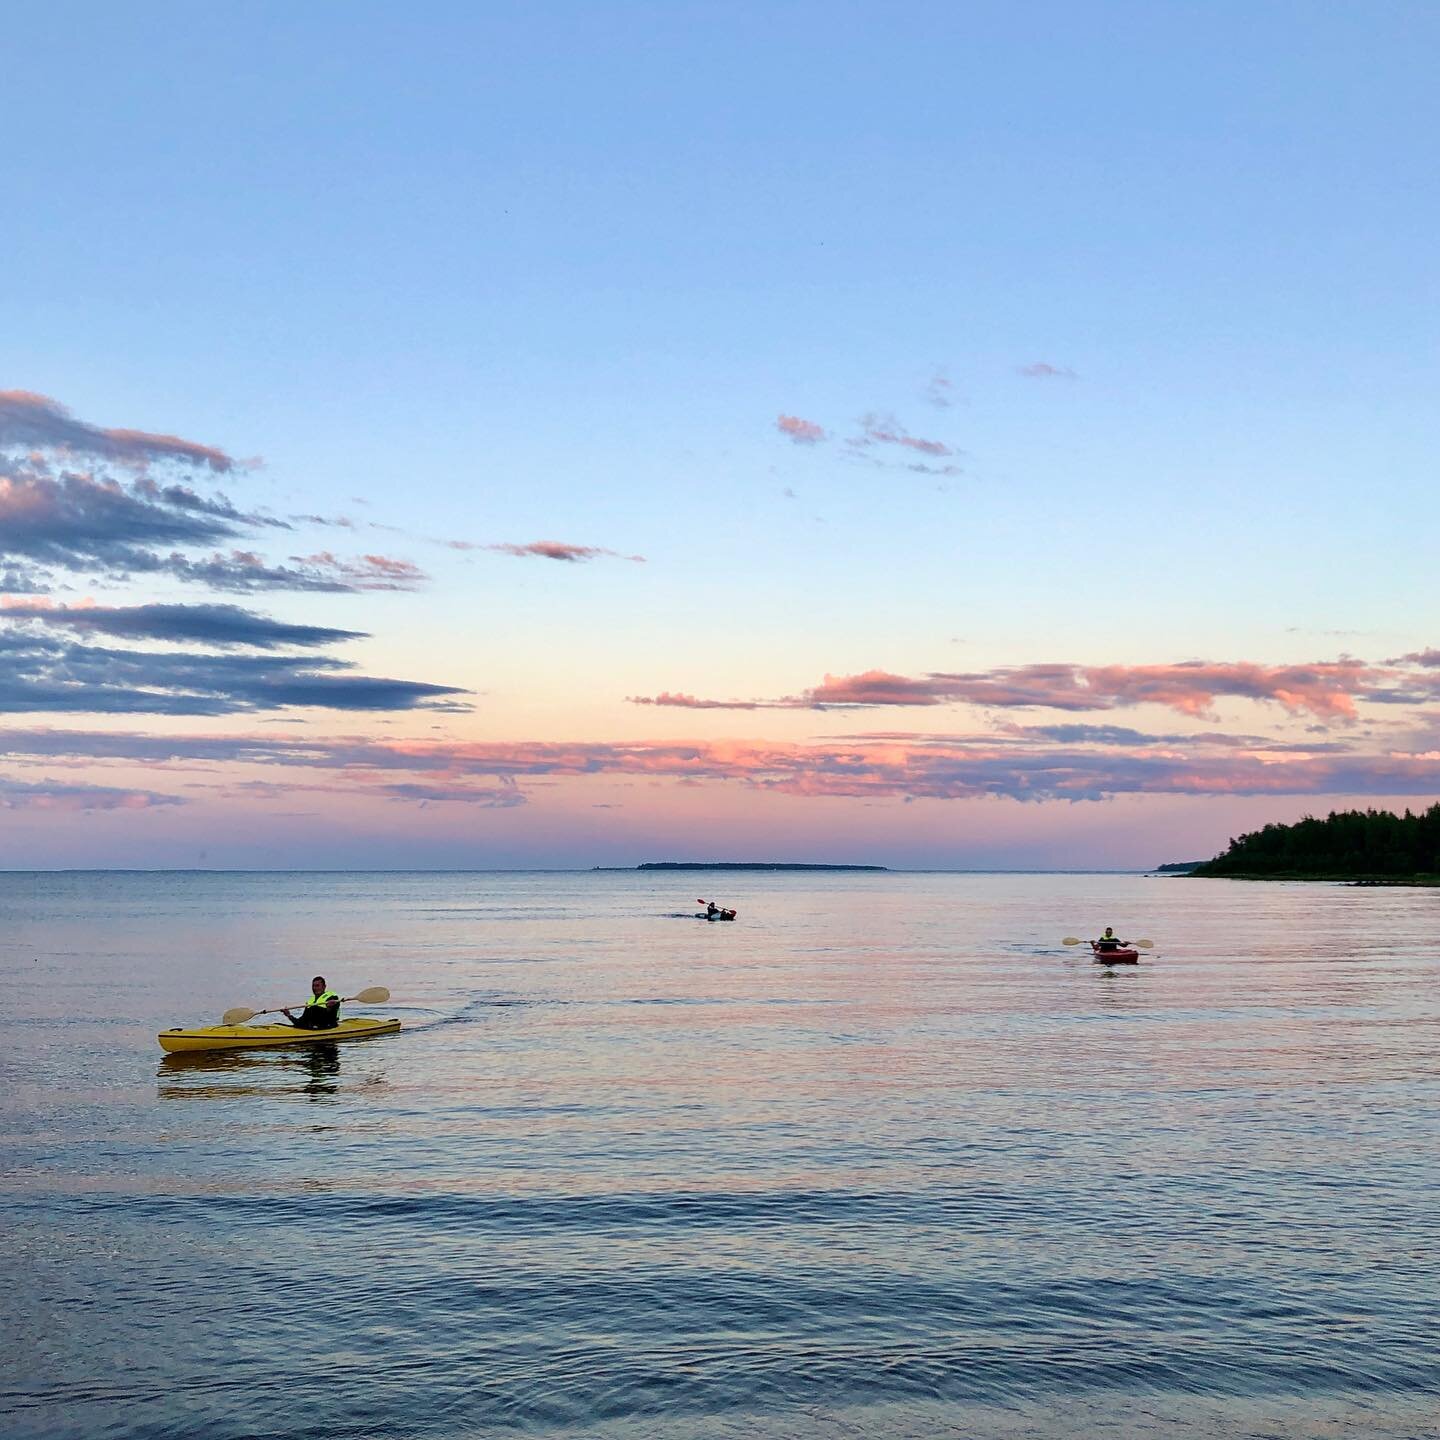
221,626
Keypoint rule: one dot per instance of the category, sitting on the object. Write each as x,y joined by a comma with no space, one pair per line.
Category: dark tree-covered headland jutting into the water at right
1366,847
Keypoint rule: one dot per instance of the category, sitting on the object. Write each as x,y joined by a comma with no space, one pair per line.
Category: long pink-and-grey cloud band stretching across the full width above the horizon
878,768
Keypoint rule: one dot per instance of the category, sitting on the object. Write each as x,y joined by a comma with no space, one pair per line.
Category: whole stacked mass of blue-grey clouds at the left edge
107,503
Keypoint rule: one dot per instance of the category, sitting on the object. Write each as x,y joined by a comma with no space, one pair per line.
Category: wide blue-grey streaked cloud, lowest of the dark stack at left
50,675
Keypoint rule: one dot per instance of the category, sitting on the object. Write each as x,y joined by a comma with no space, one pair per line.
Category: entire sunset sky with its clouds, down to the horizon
971,436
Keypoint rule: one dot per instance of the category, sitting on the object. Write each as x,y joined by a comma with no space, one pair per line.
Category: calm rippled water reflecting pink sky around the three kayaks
878,1160
